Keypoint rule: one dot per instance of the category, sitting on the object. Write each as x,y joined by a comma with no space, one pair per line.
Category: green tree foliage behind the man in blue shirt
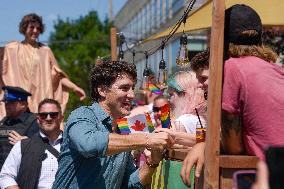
76,45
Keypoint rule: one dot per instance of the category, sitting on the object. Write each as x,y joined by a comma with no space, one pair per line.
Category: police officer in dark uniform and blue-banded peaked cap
19,122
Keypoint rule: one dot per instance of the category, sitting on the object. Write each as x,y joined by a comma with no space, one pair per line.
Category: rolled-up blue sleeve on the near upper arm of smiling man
85,134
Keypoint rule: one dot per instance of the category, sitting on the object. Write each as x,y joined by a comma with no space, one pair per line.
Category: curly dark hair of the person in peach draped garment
30,18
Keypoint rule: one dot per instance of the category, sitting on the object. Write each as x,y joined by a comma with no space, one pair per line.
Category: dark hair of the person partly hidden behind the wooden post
200,60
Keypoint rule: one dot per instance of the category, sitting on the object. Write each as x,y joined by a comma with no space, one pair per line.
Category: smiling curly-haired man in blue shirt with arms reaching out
93,153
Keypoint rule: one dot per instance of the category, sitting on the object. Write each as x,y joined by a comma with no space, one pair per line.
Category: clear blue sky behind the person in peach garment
12,12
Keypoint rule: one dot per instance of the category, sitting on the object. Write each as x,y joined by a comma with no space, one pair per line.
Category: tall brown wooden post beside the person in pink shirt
212,150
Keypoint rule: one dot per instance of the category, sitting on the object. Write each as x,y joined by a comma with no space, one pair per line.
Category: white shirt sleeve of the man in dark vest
11,167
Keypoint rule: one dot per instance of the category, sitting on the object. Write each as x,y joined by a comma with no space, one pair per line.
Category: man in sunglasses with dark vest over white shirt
32,162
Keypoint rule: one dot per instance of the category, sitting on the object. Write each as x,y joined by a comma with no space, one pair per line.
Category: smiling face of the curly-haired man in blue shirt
118,97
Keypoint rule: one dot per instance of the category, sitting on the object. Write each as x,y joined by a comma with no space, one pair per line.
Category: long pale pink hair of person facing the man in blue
192,97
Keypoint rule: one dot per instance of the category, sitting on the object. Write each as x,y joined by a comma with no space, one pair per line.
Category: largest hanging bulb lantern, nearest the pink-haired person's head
182,58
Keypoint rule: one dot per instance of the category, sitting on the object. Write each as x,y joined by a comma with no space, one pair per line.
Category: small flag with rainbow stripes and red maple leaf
136,124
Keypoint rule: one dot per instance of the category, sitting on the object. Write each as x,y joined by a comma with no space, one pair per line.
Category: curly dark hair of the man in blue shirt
106,73
